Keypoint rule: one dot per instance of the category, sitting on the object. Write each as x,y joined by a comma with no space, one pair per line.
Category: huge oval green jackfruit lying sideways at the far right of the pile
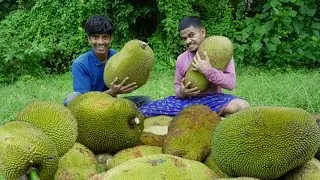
265,142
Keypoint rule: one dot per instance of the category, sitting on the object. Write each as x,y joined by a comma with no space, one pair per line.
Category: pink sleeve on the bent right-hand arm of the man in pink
226,79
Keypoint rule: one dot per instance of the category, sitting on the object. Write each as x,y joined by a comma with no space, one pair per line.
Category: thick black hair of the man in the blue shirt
98,24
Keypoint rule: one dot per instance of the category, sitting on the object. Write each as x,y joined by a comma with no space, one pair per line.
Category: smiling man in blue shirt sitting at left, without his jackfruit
87,69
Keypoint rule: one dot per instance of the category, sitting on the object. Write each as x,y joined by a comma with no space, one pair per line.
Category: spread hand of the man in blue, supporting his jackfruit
116,89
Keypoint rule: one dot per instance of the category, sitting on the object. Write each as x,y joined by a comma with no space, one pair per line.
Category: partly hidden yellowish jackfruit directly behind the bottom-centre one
133,153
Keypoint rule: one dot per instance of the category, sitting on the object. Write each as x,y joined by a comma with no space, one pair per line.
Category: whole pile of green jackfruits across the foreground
98,136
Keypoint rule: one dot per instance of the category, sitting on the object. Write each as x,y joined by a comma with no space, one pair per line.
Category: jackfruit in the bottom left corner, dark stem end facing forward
24,148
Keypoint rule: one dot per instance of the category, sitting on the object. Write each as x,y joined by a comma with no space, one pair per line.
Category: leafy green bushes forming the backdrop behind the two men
44,36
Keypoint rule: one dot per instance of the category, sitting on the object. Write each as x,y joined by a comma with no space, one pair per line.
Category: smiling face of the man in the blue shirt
100,43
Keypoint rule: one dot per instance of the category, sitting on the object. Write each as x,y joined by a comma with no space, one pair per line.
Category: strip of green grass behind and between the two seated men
292,89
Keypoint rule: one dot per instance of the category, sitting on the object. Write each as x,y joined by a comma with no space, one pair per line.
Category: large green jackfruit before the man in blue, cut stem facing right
105,123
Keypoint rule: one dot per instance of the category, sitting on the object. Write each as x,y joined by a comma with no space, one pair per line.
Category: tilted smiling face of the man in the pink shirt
192,37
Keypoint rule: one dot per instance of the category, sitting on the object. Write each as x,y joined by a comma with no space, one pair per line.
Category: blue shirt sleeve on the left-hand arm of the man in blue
81,78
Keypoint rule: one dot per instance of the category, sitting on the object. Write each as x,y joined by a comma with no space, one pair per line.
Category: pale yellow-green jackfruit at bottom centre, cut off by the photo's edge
160,166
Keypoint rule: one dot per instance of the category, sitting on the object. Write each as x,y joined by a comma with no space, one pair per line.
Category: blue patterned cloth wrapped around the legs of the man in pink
172,105
